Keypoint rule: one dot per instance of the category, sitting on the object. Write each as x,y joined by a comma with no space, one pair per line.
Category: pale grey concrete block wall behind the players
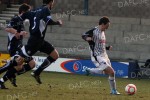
129,37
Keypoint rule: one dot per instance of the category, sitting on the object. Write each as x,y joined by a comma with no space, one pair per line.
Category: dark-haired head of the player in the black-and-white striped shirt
104,23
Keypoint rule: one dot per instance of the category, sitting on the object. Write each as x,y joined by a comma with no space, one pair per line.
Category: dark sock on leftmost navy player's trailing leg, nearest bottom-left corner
9,74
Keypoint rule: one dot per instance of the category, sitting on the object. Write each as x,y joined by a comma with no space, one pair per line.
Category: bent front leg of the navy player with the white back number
53,56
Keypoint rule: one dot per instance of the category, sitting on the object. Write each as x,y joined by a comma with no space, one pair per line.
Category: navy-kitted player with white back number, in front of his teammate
39,20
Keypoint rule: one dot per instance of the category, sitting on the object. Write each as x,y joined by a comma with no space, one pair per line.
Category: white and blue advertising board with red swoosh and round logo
77,66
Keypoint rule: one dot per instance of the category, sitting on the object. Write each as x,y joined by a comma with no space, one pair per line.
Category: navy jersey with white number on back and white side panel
39,19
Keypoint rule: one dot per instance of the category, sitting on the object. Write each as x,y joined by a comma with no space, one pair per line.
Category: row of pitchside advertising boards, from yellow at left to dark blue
78,66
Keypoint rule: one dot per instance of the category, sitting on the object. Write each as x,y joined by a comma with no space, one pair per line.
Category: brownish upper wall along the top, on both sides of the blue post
114,8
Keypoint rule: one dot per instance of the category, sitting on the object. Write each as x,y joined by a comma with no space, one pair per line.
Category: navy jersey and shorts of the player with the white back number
39,20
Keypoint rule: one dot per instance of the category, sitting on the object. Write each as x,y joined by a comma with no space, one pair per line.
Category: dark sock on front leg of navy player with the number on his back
44,65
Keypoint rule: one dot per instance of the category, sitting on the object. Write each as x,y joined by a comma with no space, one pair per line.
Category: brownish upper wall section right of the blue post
120,8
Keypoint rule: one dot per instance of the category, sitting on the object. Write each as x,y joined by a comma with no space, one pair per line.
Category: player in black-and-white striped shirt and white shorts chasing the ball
97,41
